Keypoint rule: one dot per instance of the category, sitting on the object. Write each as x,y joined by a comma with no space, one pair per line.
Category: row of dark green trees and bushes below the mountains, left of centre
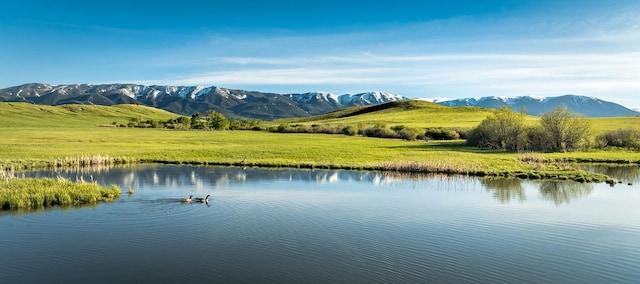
212,120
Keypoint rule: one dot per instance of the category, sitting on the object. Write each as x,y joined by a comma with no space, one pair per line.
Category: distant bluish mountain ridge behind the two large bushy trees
583,105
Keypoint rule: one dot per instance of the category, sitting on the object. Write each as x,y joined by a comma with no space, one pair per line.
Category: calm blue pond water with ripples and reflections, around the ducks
286,226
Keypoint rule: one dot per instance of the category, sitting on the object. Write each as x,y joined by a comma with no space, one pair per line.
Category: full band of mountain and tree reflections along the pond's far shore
504,190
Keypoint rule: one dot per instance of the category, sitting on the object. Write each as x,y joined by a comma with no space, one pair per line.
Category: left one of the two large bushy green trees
503,129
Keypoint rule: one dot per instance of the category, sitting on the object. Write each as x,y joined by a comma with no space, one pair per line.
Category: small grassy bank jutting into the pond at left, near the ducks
16,193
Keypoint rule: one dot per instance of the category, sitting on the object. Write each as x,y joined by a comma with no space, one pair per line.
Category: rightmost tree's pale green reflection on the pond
561,192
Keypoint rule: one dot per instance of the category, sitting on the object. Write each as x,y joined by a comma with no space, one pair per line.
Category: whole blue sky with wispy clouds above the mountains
420,49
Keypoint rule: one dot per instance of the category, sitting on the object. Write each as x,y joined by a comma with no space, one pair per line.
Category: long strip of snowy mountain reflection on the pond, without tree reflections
202,177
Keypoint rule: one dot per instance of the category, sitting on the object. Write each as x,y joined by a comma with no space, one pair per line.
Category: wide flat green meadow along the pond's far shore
28,149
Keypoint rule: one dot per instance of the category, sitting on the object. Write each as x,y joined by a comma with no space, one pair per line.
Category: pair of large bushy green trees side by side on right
559,130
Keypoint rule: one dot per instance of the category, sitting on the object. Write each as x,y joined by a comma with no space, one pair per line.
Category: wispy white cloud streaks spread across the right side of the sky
455,58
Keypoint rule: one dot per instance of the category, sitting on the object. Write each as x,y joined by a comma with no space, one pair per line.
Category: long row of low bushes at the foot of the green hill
379,131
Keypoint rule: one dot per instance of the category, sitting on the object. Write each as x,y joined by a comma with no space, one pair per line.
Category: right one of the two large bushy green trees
566,130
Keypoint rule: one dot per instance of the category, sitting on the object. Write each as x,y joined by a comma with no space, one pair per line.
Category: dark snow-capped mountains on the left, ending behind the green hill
191,99
